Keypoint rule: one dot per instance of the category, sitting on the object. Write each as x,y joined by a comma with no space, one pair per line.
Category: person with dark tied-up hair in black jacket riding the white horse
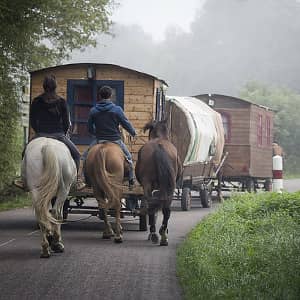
49,117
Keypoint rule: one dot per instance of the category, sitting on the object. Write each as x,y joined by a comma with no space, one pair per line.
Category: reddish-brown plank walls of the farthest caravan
245,157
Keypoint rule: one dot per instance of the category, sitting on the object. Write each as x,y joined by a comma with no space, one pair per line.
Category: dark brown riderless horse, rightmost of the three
157,169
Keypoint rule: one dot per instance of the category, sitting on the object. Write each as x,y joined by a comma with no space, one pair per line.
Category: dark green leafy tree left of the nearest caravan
34,34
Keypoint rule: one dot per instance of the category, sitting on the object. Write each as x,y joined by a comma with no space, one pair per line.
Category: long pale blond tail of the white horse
48,186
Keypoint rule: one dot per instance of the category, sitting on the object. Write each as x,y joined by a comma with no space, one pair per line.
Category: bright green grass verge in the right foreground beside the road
248,249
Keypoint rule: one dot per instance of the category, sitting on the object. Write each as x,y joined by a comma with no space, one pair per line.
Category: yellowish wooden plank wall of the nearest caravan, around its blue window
139,93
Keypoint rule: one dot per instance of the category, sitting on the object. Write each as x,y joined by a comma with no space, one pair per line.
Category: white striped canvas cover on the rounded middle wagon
203,139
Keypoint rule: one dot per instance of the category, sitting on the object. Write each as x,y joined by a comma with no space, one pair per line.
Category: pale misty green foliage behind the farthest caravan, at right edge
286,104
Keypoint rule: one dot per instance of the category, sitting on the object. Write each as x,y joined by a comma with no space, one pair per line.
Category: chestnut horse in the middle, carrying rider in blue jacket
104,169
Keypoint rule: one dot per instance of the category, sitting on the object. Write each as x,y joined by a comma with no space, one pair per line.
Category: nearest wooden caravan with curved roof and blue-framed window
140,95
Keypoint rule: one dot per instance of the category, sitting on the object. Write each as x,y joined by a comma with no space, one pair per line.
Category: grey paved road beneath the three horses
90,268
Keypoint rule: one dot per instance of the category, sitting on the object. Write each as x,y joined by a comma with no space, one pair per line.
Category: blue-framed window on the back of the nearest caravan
81,97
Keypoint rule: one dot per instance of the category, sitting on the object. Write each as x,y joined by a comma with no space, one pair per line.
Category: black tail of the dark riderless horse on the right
165,171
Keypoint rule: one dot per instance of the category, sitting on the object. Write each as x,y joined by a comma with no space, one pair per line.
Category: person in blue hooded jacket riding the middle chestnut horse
103,122
